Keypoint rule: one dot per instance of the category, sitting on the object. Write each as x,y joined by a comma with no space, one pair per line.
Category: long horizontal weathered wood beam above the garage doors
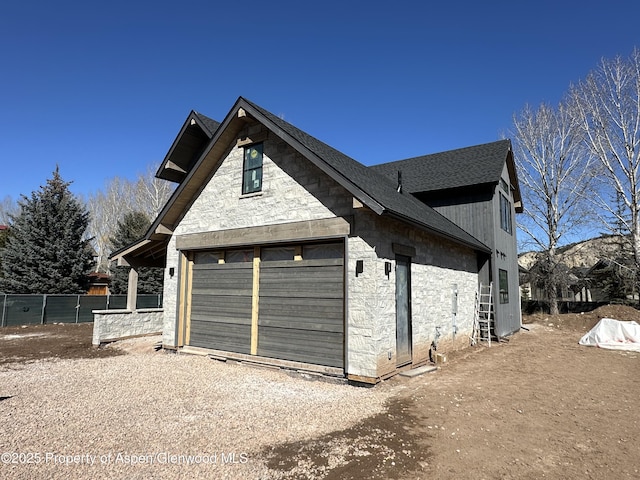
285,232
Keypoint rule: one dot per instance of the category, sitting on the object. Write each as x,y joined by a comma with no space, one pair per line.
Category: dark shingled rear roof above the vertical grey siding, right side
463,167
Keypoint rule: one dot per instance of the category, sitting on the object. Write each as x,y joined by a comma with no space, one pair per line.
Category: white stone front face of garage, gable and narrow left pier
293,190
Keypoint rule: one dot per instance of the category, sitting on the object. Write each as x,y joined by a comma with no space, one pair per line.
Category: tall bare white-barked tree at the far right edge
608,102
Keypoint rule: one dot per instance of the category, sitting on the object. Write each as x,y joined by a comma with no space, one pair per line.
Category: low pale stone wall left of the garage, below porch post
111,325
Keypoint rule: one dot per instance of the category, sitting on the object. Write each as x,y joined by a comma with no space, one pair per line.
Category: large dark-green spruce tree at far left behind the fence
46,251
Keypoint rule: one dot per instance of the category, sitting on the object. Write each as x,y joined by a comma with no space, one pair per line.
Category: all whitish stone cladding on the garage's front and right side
294,190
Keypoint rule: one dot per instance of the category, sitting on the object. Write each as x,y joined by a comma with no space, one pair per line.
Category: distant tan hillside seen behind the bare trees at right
582,254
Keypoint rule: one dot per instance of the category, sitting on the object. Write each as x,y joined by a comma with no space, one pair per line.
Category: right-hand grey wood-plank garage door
301,307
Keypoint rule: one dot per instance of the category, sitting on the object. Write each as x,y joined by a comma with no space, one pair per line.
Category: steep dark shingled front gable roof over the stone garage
371,188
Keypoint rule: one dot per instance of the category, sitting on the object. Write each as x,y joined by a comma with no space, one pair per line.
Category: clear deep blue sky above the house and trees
102,88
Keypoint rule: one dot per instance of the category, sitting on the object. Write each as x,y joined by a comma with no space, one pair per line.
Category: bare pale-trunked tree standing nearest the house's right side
554,173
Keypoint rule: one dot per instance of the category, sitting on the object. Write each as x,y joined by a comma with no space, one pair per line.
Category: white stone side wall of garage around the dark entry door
437,266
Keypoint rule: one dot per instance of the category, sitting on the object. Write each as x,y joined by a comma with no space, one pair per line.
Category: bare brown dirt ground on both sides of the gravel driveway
536,406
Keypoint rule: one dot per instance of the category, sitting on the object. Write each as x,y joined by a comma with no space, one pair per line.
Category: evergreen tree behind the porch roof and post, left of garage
131,228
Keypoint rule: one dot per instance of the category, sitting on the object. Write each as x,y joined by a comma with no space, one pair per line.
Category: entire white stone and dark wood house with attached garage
280,249
